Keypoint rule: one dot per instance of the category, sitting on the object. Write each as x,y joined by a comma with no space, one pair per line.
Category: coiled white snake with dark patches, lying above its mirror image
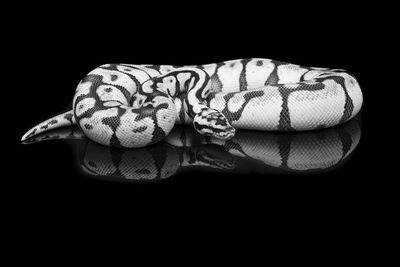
123,105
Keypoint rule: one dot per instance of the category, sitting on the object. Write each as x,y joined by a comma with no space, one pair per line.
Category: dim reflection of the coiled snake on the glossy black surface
247,152
